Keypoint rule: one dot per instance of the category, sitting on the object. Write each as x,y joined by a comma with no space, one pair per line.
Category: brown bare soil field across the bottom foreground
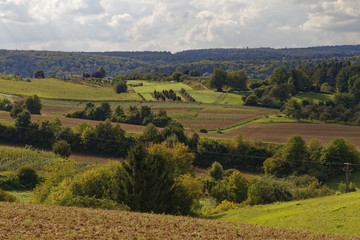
27,221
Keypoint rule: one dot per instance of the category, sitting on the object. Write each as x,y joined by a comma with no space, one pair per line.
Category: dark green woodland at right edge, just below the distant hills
283,84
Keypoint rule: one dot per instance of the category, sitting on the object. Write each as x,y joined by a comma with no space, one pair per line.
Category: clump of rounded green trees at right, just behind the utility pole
316,160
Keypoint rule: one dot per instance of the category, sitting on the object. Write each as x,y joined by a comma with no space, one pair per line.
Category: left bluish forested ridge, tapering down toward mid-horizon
61,63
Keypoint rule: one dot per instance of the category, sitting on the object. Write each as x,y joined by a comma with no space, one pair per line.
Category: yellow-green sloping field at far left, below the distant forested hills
58,89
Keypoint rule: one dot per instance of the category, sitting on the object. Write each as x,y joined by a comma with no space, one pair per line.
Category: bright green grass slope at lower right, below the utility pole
335,214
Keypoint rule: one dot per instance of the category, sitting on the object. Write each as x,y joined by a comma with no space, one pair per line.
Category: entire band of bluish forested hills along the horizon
258,63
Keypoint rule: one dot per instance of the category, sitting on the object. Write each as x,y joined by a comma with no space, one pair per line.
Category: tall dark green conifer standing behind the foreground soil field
149,181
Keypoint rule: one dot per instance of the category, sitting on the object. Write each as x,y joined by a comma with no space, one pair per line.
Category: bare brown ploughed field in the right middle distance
281,132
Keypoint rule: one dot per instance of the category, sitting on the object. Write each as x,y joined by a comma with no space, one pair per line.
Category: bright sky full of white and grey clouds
175,25
